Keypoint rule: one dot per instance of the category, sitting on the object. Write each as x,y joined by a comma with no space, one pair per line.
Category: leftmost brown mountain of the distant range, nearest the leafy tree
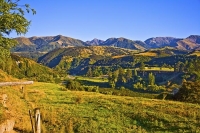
45,44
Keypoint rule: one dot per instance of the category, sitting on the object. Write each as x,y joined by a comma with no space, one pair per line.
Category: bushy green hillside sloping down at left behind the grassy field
24,68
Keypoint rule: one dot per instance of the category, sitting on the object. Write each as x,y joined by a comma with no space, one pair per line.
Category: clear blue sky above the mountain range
103,19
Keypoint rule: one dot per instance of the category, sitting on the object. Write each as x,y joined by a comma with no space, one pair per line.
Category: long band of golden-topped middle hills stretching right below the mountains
77,60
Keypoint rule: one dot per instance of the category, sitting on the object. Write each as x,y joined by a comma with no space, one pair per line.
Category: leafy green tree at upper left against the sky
12,18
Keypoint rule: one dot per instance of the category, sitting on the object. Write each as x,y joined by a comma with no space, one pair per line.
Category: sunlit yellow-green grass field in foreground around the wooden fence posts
76,111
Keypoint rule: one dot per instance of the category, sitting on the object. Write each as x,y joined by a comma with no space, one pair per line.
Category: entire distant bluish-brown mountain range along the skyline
48,43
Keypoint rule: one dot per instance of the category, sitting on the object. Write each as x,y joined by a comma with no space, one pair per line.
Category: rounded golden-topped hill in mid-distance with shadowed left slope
72,54
